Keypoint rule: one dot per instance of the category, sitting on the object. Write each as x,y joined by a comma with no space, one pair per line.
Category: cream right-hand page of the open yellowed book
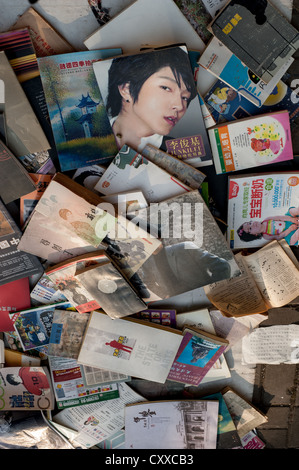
275,274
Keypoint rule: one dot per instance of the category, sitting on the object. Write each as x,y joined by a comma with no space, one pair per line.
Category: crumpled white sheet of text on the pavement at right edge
278,344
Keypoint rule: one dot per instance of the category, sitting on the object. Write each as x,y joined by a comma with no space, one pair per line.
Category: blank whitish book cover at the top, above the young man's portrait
145,22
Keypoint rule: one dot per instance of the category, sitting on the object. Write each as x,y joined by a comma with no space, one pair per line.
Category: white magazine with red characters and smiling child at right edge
263,207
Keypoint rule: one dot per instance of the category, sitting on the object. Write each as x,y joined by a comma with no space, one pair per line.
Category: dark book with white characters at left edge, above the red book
14,264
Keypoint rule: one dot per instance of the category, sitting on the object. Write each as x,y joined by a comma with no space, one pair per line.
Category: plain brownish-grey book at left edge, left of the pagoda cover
24,136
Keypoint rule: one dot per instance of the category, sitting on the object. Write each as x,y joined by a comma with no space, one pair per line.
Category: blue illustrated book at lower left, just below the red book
33,326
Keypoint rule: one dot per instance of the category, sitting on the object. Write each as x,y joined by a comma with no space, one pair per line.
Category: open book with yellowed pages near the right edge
269,279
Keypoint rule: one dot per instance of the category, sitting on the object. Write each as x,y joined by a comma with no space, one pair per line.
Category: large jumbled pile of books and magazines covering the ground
106,220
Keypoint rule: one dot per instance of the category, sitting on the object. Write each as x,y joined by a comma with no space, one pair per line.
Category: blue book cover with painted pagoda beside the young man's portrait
81,129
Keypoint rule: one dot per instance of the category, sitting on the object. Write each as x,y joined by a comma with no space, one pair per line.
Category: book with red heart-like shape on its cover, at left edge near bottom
26,388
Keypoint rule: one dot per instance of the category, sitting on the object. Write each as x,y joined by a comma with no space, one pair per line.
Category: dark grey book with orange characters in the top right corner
258,34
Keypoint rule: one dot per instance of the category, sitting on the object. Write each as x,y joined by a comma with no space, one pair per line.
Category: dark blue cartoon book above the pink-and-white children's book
225,105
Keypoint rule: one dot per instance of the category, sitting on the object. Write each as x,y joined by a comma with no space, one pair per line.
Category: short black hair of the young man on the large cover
136,69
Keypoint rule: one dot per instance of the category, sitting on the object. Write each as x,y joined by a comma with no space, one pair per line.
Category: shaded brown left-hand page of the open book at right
238,295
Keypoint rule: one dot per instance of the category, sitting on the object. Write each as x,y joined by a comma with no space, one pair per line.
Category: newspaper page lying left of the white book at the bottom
95,422
